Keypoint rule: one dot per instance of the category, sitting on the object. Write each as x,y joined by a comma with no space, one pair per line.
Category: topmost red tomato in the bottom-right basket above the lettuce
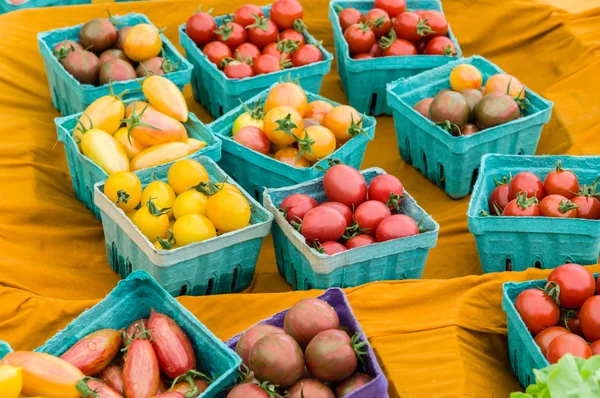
576,283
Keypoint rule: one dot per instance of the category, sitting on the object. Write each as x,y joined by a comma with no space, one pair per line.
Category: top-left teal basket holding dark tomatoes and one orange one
69,96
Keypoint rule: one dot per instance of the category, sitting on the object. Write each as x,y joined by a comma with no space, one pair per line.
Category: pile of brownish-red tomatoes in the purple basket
311,341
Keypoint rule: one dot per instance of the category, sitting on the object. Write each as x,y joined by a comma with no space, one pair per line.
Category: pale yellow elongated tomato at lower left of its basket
105,151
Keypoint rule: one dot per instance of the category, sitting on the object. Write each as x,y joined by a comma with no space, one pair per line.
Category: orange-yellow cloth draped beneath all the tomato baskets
434,338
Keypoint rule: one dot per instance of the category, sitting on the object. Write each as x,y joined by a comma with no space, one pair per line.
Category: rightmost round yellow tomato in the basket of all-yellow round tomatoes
228,210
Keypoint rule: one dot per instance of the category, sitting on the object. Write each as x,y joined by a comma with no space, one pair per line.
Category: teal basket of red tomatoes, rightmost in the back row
364,81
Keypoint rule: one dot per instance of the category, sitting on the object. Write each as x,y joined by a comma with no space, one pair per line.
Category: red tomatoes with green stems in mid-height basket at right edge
560,195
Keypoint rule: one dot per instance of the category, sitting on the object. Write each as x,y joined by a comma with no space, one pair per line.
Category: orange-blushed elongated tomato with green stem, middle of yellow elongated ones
151,127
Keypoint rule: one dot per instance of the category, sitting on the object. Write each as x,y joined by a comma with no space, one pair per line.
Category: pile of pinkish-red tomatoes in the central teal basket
354,215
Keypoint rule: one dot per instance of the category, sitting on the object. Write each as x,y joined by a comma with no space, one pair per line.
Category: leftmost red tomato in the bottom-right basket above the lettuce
537,309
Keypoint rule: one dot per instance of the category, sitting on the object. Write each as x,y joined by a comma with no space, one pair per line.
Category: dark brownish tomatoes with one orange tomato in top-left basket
105,53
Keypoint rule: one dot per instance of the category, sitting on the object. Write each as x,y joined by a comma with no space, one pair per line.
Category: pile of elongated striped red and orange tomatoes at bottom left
152,358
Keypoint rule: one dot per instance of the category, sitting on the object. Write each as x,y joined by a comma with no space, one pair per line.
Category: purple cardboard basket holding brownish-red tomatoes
336,297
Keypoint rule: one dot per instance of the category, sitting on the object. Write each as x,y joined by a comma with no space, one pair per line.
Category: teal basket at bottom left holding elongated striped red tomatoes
133,299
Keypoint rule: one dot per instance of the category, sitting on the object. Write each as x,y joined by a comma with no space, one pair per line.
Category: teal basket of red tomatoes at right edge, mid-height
518,243
